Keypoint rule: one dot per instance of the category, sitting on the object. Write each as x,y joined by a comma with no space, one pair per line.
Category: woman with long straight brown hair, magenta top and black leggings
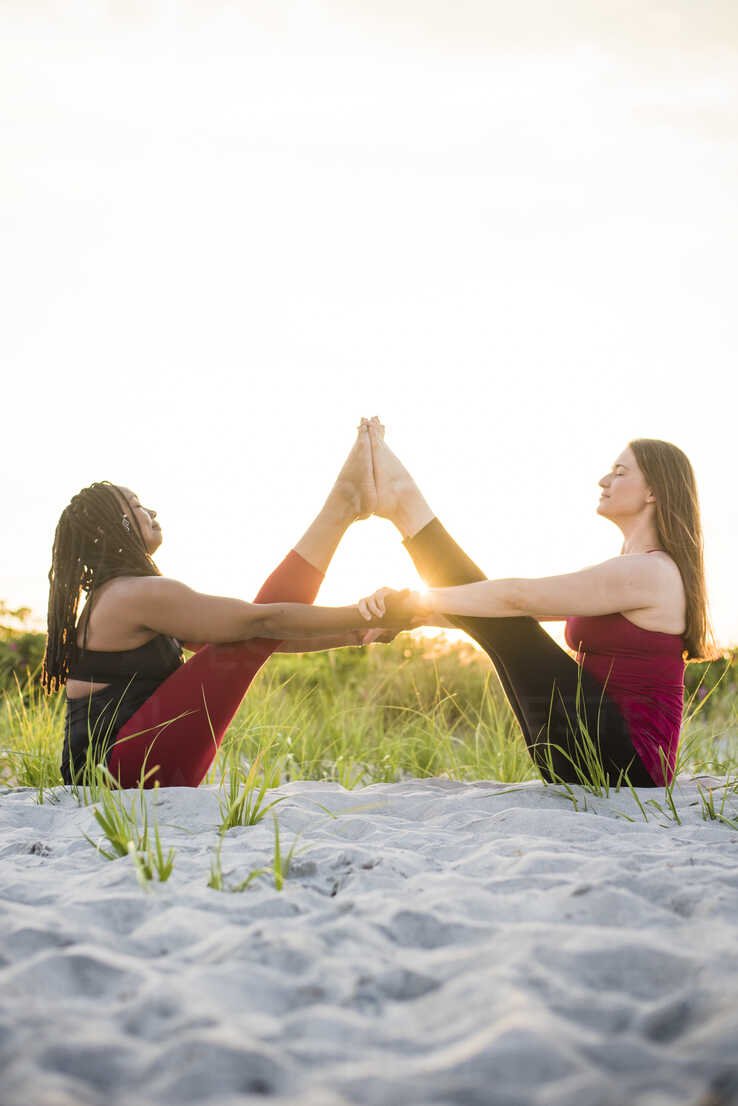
633,620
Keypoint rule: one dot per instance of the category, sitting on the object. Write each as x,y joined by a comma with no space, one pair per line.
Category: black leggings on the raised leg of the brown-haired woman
539,679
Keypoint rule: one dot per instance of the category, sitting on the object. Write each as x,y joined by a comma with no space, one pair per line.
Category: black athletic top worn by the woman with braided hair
133,676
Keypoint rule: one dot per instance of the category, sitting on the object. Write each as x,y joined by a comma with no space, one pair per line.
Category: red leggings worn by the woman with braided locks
180,728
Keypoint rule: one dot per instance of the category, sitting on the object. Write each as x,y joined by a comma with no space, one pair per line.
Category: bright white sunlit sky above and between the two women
231,231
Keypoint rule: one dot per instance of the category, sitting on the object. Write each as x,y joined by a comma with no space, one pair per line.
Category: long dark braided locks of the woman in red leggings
91,547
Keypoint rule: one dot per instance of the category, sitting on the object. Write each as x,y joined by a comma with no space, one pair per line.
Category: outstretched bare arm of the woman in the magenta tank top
625,583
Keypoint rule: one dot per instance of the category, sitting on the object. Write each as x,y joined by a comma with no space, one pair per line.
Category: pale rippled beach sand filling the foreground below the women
440,943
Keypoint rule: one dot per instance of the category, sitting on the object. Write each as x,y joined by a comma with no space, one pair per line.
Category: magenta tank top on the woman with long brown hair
642,671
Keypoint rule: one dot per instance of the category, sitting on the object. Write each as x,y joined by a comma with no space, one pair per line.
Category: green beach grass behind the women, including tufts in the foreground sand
418,708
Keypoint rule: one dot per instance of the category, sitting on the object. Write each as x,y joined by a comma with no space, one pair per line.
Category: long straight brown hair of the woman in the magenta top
671,478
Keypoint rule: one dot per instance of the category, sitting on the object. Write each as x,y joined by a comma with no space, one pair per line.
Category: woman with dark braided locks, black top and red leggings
129,692
